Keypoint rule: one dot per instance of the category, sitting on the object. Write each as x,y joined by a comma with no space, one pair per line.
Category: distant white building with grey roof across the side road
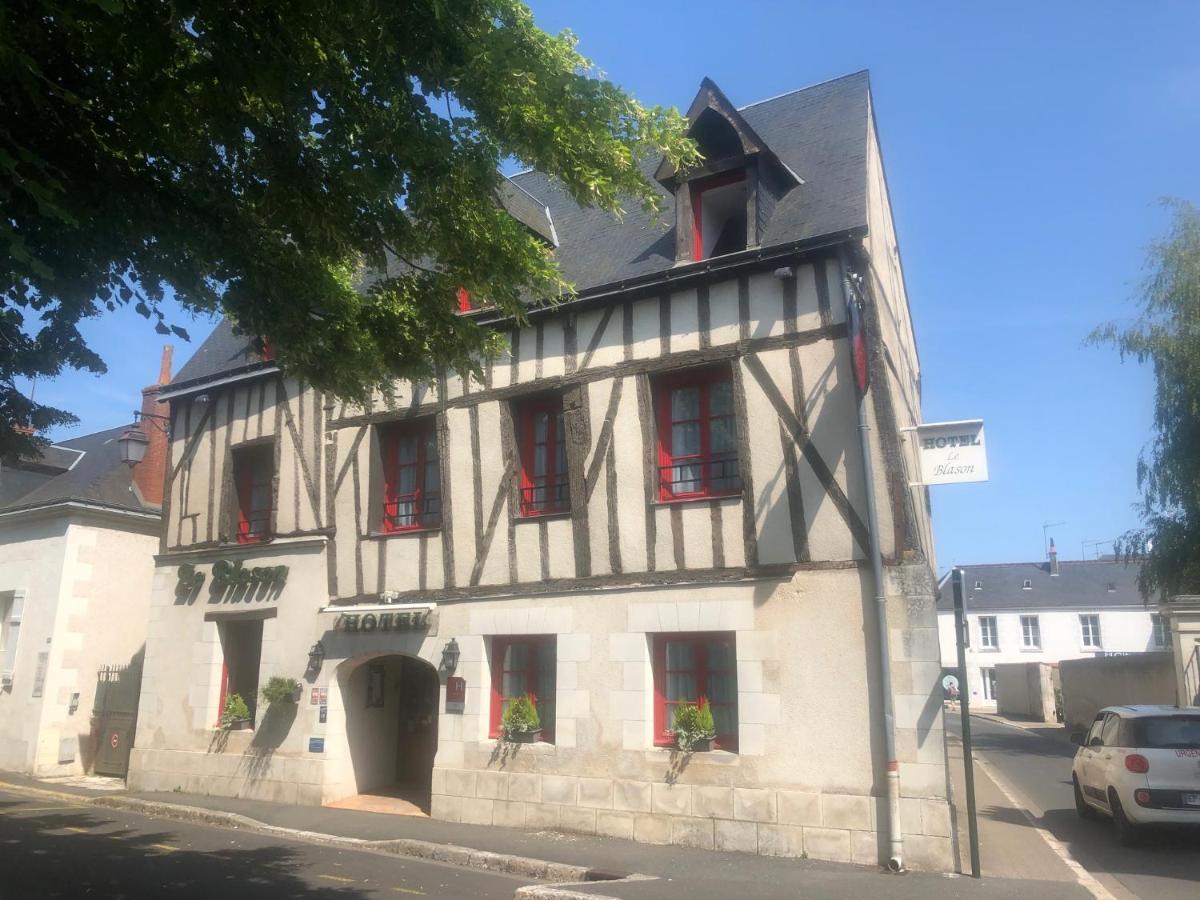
1046,613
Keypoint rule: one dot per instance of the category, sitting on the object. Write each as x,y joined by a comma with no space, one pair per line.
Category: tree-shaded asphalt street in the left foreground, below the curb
53,850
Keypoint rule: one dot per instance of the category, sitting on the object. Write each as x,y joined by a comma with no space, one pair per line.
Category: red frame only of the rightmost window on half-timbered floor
730,472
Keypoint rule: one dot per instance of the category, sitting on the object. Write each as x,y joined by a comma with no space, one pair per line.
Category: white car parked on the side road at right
1139,766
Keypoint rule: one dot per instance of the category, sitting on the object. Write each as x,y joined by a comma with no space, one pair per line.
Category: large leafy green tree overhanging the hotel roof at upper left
326,175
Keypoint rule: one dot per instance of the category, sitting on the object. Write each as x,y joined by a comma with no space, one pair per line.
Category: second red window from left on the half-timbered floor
412,476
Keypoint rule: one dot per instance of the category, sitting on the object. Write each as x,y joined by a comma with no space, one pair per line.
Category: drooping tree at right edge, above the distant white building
1167,335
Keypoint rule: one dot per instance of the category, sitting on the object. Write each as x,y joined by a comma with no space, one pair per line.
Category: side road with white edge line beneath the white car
1167,866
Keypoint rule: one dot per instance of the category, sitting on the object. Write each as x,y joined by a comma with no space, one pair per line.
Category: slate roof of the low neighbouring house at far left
98,477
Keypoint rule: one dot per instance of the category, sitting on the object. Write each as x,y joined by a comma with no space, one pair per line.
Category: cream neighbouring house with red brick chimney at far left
79,533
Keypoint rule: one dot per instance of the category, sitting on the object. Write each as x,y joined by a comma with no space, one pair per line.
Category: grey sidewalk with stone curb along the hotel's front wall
675,872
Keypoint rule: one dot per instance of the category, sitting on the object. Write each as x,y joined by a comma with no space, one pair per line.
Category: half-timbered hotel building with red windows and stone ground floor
658,496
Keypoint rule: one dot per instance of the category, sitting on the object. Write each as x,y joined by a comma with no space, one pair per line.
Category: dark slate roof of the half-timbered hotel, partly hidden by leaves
820,133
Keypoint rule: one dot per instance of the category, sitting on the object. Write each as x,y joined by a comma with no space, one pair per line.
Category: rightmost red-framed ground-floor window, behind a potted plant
689,668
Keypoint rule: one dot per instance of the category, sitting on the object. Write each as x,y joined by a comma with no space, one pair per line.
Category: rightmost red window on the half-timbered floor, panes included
698,435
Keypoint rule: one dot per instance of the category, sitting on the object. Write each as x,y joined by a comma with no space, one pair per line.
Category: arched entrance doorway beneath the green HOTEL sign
392,728
